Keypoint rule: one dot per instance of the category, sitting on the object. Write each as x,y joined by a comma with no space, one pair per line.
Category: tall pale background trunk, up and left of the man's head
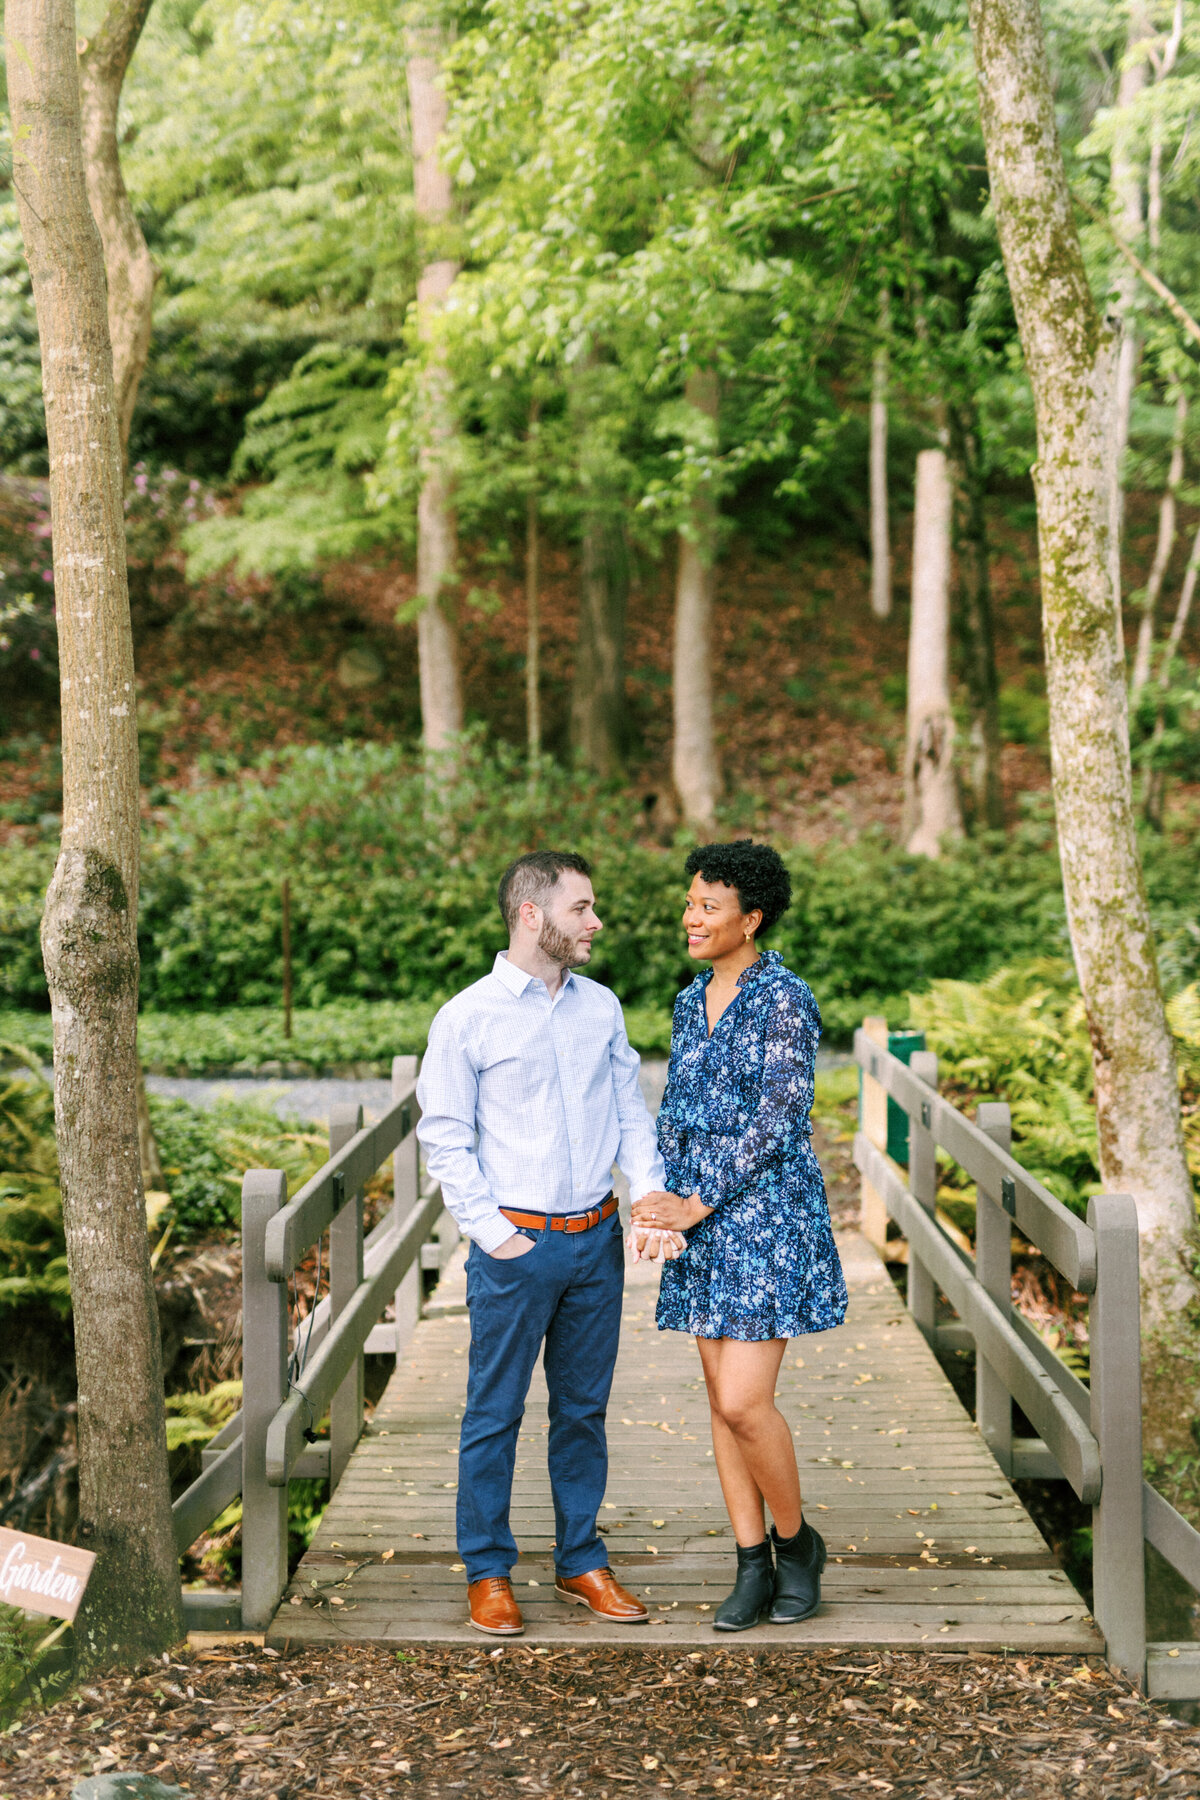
438,541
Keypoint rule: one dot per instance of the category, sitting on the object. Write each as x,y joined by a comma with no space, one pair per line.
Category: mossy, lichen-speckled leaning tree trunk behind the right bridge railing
1071,357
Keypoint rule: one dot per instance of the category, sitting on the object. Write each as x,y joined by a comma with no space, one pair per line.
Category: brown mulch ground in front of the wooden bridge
775,1725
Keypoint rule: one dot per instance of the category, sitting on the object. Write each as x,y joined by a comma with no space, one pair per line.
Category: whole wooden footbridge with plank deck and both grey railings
929,1545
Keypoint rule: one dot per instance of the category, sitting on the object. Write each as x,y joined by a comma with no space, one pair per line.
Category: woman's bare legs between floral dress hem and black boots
751,1437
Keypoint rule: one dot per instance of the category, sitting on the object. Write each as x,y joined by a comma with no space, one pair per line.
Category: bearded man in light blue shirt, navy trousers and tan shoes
528,1097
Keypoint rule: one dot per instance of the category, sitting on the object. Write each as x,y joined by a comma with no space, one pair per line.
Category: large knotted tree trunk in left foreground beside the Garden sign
91,921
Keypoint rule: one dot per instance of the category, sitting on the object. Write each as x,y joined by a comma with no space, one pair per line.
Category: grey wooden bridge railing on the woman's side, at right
1091,1434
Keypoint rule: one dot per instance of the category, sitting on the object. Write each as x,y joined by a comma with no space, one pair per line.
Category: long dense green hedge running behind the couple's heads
393,894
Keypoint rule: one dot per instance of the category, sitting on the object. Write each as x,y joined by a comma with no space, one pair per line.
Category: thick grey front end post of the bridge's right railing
1118,1533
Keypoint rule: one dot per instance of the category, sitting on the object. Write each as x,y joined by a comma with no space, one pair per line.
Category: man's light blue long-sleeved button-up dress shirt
530,1101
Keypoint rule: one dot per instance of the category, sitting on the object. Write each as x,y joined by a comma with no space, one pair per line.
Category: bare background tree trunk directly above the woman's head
694,750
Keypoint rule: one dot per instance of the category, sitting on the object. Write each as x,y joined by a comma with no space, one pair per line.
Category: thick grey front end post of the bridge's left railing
265,1387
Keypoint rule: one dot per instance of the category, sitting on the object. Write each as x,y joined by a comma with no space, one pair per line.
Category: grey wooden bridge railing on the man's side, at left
294,1378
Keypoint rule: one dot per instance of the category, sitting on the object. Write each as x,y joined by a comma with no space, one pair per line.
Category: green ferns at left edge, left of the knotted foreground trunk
33,1248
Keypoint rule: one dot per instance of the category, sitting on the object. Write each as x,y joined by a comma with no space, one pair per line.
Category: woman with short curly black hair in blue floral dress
748,1194
